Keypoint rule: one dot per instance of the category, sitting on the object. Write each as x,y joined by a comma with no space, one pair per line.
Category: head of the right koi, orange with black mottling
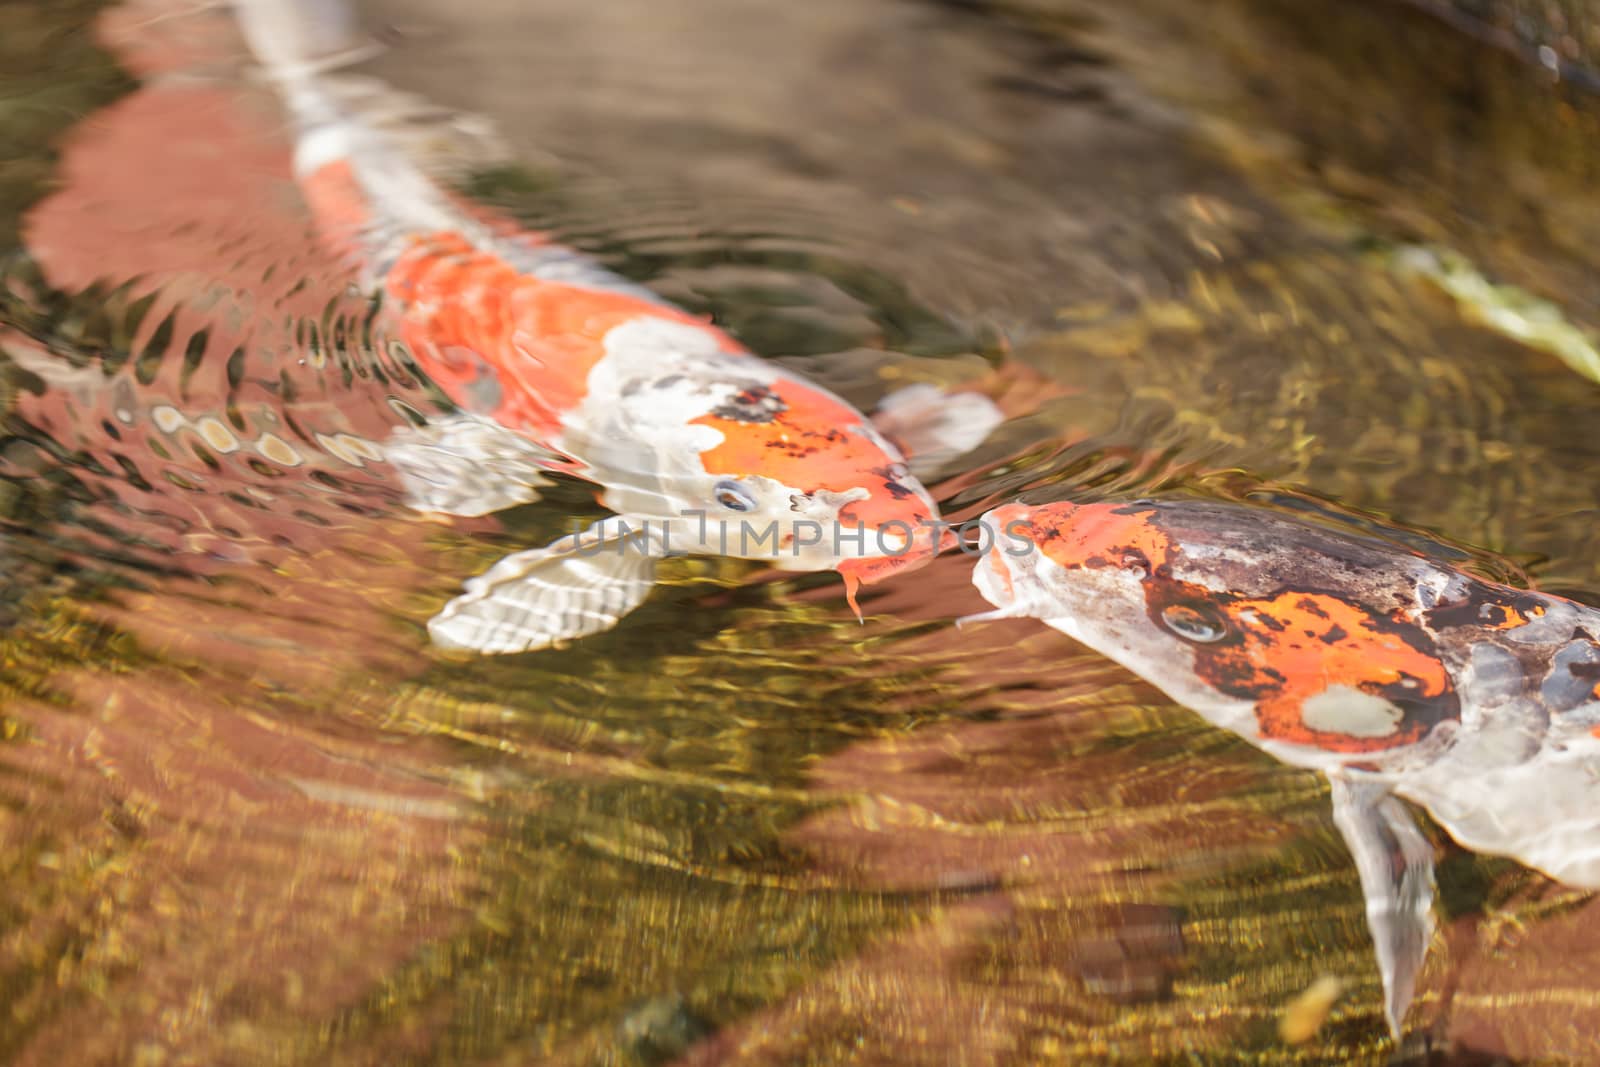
1276,629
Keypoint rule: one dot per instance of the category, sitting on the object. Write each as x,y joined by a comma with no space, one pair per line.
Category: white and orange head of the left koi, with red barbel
746,460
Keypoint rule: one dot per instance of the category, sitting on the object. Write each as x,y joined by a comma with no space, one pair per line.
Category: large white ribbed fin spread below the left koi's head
574,588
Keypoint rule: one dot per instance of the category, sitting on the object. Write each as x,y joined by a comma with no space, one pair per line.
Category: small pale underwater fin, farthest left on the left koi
465,465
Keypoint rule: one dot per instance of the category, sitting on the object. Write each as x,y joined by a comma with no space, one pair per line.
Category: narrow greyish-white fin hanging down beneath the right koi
1396,863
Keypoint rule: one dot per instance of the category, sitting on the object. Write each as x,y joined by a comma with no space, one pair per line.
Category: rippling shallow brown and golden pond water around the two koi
247,815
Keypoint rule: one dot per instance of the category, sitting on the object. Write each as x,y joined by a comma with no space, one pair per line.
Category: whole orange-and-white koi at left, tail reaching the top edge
559,366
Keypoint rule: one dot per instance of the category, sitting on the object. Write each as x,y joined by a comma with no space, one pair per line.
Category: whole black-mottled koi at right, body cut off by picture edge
1394,676
